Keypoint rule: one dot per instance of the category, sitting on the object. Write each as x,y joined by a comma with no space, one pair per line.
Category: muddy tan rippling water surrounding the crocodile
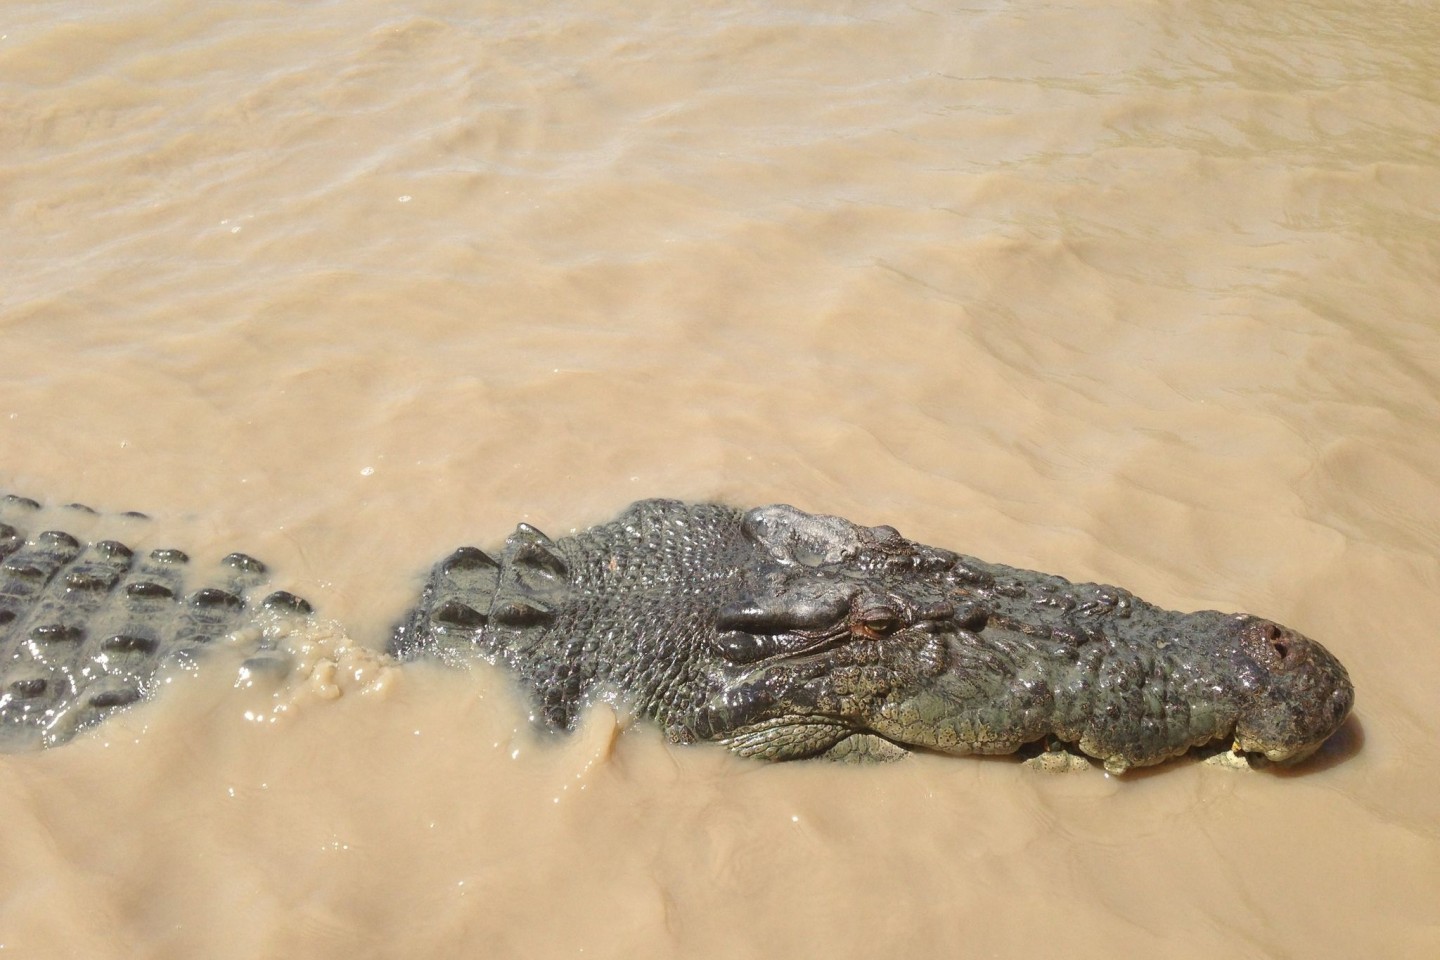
1137,293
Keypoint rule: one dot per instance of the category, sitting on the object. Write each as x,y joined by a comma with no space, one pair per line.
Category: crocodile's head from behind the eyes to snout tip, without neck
858,643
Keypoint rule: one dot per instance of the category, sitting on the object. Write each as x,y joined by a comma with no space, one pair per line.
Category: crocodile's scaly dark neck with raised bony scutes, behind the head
623,610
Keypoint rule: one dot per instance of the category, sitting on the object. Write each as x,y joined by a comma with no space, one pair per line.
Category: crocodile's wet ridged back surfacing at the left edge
89,628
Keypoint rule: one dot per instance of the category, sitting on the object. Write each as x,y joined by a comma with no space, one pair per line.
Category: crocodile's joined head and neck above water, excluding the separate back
790,635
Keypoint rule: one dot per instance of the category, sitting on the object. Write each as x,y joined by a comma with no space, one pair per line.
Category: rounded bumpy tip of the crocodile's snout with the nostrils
1298,693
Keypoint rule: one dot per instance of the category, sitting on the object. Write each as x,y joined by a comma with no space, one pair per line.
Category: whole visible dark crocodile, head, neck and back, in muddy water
777,633
